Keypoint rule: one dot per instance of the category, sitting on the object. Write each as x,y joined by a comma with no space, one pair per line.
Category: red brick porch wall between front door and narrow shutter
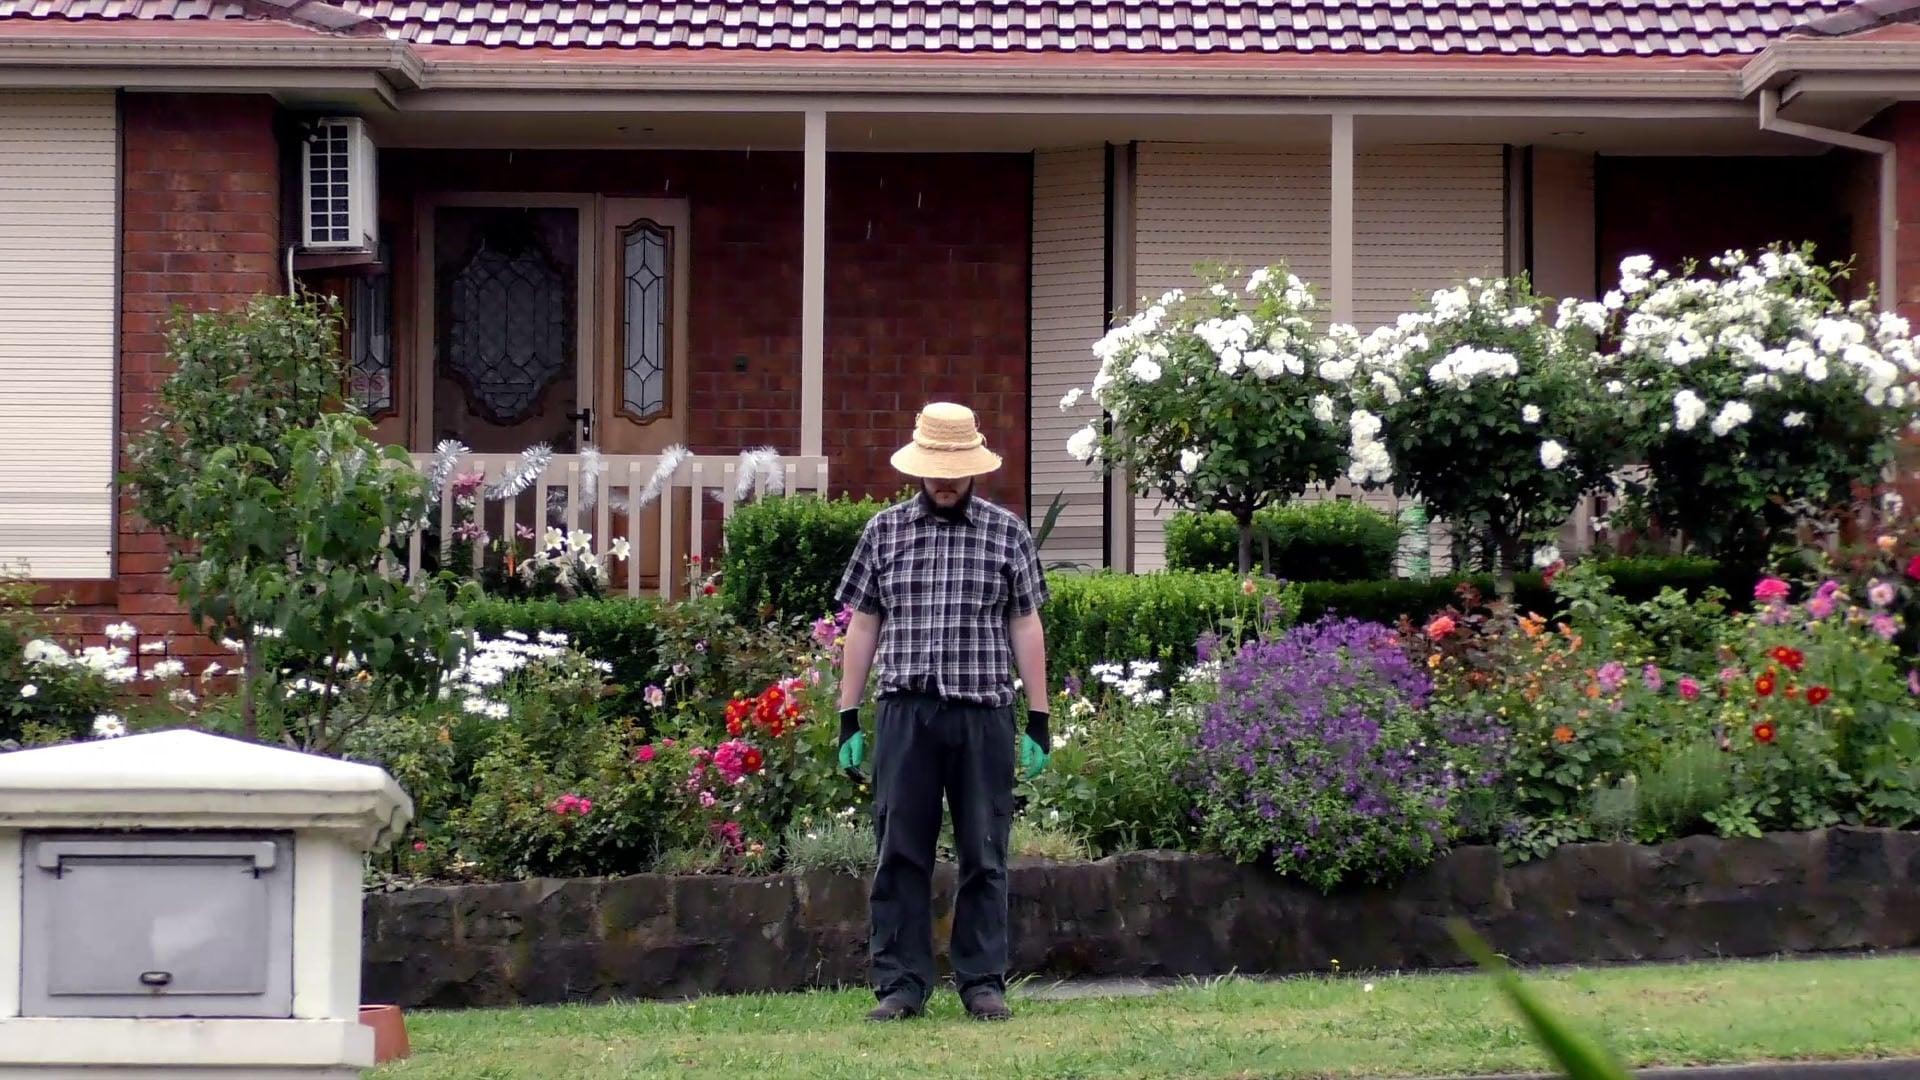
926,289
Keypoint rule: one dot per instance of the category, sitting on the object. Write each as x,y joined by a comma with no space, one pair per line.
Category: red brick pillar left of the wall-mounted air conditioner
201,230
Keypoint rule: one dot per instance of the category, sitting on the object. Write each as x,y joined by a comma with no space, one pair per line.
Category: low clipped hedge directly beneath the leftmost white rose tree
1320,541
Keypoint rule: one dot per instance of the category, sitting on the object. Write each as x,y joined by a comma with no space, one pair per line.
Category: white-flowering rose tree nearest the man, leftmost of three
1220,401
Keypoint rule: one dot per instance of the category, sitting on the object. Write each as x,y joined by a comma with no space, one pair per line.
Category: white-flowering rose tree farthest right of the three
1758,397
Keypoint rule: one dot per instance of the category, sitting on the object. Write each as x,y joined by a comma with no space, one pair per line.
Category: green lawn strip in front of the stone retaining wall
1424,1025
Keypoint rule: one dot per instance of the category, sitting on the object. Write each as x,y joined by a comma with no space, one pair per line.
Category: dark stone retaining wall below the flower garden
1151,914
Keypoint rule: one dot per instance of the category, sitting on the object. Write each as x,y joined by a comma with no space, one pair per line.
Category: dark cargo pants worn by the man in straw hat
924,749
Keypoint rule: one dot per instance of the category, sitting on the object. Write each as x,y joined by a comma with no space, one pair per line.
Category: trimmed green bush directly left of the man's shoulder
786,556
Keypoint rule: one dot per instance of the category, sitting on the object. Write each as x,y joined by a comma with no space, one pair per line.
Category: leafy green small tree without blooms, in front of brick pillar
281,512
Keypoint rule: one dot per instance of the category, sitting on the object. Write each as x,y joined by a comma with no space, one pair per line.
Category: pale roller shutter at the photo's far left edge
59,239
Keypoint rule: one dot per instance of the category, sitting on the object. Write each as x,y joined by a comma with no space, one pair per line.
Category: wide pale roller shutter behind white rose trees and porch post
1424,218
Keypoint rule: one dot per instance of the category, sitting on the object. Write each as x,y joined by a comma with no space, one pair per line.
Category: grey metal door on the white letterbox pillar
185,925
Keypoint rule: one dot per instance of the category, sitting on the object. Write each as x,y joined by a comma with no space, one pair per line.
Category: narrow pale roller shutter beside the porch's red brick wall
1068,316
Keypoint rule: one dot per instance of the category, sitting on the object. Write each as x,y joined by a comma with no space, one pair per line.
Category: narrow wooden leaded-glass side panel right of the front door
640,403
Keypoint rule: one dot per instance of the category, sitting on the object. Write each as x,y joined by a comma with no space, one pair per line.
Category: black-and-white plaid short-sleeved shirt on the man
944,593
